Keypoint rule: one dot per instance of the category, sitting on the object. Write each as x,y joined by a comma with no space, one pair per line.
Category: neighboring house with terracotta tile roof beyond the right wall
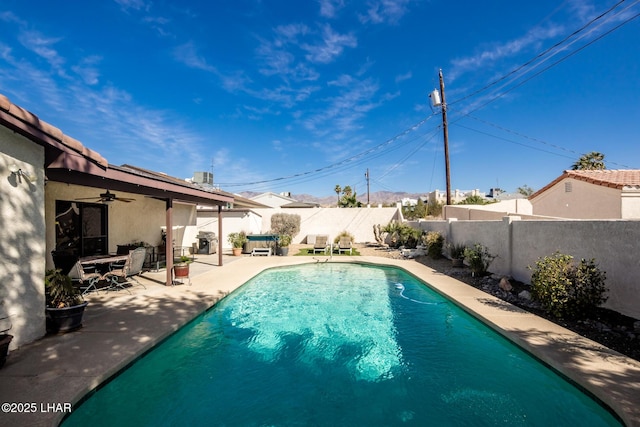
590,194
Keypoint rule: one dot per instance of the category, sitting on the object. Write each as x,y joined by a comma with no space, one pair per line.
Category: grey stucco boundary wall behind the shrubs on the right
518,244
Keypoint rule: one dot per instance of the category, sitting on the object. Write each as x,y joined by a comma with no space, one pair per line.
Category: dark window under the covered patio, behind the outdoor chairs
81,228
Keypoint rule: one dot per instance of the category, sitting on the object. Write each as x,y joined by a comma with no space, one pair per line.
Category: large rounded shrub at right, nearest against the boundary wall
567,290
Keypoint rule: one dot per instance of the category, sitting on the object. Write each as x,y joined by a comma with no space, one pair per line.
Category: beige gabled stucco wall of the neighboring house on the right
584,201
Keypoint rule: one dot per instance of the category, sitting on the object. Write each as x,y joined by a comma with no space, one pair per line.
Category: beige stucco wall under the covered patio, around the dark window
140,220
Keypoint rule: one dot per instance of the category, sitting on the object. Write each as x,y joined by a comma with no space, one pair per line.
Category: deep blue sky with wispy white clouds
301,96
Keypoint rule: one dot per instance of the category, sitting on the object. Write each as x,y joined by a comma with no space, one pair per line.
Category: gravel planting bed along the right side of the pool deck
607,327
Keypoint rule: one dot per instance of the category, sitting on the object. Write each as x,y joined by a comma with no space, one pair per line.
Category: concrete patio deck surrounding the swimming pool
118,327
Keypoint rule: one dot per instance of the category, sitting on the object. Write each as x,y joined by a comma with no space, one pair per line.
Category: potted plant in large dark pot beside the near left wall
64,303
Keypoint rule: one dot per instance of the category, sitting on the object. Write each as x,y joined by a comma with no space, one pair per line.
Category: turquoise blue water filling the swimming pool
338,345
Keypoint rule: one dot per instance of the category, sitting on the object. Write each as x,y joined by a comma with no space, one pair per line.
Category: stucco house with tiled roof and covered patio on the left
56,193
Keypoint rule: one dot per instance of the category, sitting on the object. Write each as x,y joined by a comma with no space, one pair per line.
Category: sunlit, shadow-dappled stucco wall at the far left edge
22,251
